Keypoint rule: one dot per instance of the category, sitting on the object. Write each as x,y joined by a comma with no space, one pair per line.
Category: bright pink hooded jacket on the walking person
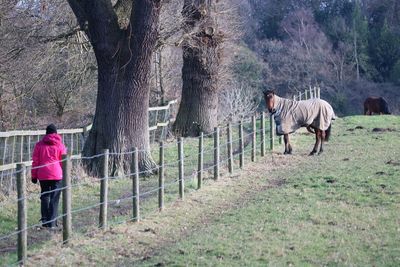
49,149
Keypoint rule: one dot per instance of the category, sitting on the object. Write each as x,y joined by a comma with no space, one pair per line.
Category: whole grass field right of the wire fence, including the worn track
339,208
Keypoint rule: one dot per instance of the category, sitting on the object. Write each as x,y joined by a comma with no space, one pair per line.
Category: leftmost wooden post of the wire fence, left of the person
22,213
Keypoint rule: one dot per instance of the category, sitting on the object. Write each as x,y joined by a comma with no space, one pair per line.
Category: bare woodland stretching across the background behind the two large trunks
350,49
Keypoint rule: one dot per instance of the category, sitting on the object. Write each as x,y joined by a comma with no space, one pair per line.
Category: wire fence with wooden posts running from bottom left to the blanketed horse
183,166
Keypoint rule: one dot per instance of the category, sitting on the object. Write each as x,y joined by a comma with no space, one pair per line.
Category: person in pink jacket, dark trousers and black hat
46,167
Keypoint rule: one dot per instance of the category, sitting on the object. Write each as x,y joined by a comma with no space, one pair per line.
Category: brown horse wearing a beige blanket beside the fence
315,114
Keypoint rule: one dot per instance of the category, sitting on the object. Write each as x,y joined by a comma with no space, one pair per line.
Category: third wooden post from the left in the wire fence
104,190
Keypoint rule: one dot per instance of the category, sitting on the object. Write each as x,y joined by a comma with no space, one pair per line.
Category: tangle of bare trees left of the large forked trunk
41,41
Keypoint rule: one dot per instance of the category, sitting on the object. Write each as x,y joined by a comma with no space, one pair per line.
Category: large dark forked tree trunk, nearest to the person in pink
123,58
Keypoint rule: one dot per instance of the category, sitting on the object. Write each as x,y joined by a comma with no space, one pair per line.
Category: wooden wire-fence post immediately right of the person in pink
66,198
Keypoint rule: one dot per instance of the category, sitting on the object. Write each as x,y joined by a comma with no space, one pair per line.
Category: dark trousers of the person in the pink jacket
49,202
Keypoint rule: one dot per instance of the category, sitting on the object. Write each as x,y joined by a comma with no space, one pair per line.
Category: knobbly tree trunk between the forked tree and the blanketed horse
198,109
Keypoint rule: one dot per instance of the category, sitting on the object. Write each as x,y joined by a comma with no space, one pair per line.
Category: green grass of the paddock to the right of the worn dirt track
340,208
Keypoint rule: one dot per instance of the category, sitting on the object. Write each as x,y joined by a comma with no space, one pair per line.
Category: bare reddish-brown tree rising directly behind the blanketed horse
304,58
